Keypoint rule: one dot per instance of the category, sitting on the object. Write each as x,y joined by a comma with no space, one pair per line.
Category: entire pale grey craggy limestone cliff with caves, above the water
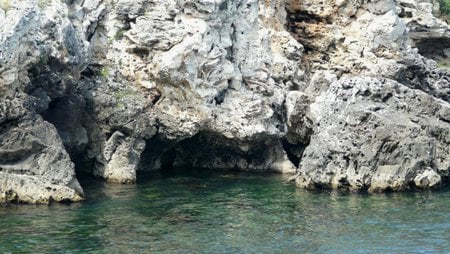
340,93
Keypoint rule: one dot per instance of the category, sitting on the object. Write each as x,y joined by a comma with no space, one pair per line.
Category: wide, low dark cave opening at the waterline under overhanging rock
216,153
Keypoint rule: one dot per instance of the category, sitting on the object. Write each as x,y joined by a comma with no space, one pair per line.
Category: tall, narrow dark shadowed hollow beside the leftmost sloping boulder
54,96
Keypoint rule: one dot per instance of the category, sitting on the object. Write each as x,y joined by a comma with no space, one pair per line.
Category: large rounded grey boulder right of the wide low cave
368,135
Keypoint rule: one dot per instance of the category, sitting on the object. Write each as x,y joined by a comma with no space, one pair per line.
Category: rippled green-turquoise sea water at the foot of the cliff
203,212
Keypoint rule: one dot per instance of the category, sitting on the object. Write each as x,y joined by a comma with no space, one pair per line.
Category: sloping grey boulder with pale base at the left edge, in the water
34,166
